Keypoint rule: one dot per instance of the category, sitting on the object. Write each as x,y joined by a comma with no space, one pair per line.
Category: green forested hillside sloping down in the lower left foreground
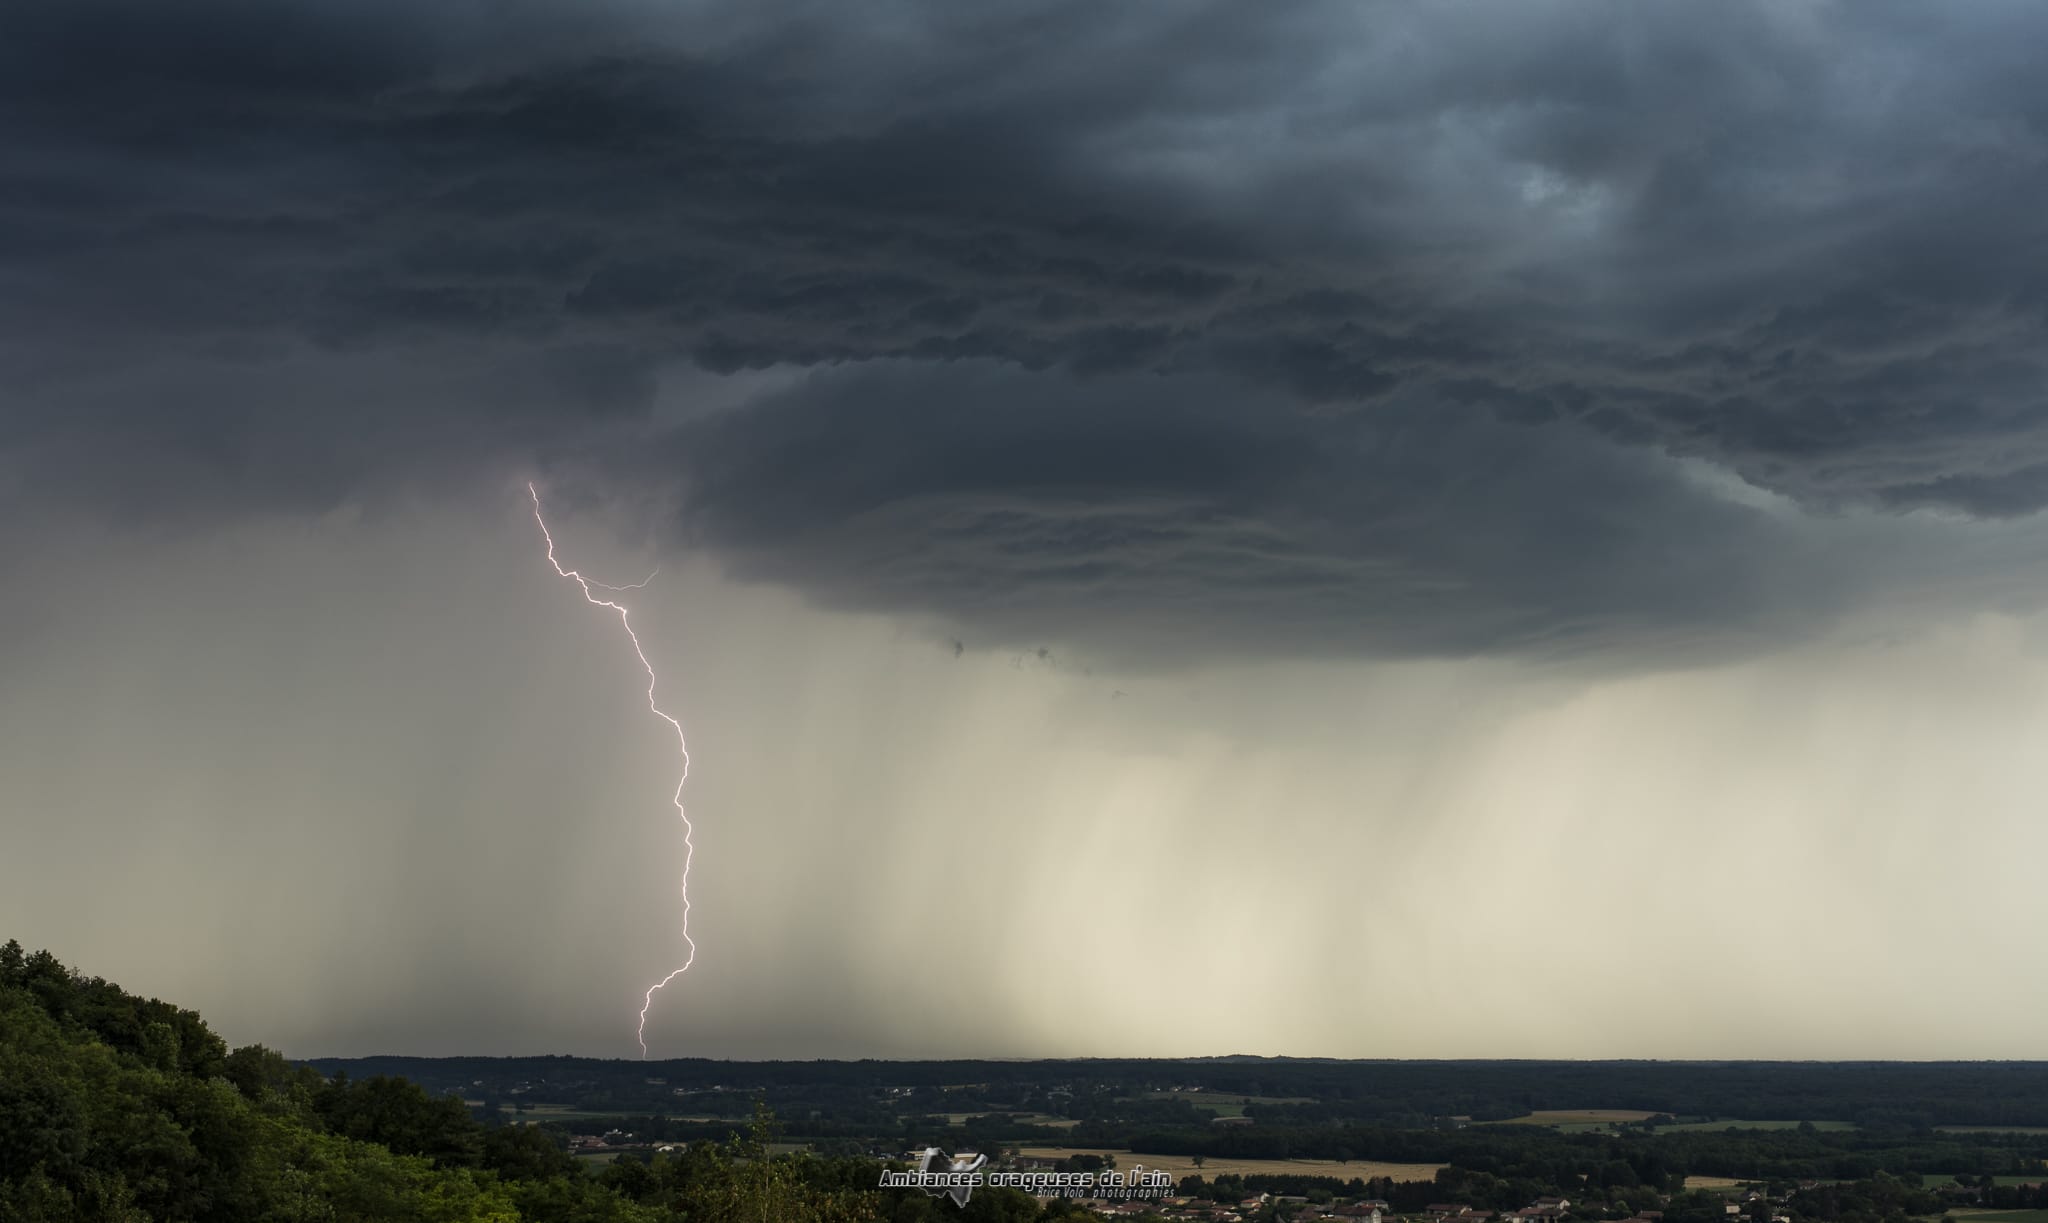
132,1111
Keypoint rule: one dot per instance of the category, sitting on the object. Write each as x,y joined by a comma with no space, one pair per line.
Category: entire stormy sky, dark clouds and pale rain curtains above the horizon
1353,530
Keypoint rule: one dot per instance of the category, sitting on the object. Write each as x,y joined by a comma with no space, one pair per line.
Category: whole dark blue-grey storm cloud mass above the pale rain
1369,323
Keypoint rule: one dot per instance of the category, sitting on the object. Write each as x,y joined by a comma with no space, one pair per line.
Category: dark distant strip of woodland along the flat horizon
1885,1095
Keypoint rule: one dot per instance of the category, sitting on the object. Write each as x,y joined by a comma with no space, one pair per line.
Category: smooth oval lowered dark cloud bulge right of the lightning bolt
1175,515
